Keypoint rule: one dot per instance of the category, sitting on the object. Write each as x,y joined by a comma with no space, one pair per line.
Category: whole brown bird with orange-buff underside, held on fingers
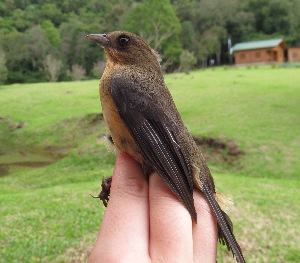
144,122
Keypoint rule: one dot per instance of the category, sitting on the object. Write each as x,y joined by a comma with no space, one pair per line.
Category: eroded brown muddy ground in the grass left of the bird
70,133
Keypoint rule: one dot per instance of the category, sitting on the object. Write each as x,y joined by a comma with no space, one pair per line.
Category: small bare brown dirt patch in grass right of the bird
219,149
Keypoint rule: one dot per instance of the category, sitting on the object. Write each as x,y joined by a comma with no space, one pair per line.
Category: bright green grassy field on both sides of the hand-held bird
51,159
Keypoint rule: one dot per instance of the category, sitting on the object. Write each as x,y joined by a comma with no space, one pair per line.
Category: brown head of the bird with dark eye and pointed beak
126,48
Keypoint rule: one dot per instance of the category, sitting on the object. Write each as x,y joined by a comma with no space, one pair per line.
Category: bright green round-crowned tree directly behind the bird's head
157,23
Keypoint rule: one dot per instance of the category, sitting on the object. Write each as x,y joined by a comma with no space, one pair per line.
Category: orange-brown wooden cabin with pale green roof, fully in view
265,51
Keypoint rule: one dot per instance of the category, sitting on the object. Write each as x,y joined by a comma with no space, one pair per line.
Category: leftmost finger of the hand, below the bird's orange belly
125,226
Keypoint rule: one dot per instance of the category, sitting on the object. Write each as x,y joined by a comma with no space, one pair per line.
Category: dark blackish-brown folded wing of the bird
155,133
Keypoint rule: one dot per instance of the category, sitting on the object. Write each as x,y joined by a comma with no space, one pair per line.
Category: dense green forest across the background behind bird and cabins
44,40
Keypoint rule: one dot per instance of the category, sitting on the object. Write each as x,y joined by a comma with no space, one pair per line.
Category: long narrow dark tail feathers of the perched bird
226,236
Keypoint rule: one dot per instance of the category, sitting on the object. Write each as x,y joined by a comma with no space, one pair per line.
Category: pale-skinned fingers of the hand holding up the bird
145,222
